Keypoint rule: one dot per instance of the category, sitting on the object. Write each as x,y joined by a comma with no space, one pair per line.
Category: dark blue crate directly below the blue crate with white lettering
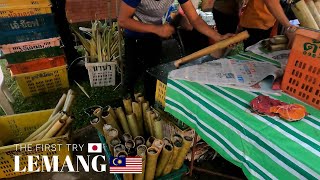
27,35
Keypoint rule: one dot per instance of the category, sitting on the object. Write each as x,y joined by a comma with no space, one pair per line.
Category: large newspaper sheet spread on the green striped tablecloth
240,74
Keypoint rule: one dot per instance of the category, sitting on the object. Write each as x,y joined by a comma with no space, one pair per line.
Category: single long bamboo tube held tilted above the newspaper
217,46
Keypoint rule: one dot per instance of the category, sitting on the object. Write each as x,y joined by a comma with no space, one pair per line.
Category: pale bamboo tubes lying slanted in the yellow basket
58,123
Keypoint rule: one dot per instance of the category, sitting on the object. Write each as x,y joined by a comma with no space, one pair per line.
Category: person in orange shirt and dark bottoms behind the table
260,16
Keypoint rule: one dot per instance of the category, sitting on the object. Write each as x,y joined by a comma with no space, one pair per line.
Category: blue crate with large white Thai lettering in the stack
27,22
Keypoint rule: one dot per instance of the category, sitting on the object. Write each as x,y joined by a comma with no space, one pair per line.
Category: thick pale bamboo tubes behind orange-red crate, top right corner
308,13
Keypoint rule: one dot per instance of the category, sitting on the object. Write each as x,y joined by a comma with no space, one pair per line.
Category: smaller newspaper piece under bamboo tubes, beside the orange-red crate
280,56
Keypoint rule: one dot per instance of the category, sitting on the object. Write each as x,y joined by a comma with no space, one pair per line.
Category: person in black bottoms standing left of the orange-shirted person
225,13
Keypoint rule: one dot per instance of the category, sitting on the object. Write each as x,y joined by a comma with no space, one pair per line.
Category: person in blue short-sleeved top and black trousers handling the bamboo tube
142,21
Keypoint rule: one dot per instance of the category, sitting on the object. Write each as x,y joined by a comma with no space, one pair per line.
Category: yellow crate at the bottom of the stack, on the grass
42,81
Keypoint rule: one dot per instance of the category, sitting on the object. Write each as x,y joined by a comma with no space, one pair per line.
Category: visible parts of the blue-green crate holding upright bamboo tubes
175,175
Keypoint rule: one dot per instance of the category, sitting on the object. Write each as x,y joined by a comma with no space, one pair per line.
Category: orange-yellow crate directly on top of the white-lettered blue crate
24,10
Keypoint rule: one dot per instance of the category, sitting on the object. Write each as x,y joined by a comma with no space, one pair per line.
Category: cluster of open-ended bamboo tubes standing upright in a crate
126,131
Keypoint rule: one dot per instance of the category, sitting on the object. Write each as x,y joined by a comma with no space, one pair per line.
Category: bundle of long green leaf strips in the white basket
104,43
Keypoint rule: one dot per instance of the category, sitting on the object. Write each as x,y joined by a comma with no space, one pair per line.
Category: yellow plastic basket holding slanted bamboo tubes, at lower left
14,129
